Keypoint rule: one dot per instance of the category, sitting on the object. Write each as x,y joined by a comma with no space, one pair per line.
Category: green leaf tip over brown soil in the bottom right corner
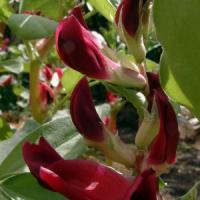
192,194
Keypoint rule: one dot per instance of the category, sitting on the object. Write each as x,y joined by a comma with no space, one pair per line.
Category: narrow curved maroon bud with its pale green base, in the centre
87,121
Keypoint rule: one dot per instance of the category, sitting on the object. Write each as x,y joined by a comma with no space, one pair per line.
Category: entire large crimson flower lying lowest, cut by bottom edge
84,179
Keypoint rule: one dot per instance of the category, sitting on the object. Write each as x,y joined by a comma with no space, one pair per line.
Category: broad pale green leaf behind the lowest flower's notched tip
58,133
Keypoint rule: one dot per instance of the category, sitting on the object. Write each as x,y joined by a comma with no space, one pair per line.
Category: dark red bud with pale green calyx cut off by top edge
129,23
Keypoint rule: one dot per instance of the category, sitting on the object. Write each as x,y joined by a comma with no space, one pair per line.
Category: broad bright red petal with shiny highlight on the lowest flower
83,180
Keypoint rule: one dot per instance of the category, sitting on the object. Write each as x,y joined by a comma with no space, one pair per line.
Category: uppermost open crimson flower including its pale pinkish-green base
80,50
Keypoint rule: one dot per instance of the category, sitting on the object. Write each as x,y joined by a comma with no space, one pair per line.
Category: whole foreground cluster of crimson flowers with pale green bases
156,140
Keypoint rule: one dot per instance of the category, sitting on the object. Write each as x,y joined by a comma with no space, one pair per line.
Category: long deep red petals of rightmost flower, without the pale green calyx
163,147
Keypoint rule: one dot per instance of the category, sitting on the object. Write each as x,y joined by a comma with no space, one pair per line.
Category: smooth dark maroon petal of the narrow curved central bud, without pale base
83,112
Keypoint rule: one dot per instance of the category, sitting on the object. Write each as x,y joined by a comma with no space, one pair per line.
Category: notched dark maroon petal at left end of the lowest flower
39,155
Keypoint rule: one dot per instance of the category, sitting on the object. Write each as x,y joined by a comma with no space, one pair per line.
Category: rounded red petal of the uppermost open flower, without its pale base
77,49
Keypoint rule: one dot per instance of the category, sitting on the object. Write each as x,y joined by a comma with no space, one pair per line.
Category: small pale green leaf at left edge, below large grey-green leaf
12,65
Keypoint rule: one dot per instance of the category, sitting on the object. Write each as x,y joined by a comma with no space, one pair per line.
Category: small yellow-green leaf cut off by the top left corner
5,10
